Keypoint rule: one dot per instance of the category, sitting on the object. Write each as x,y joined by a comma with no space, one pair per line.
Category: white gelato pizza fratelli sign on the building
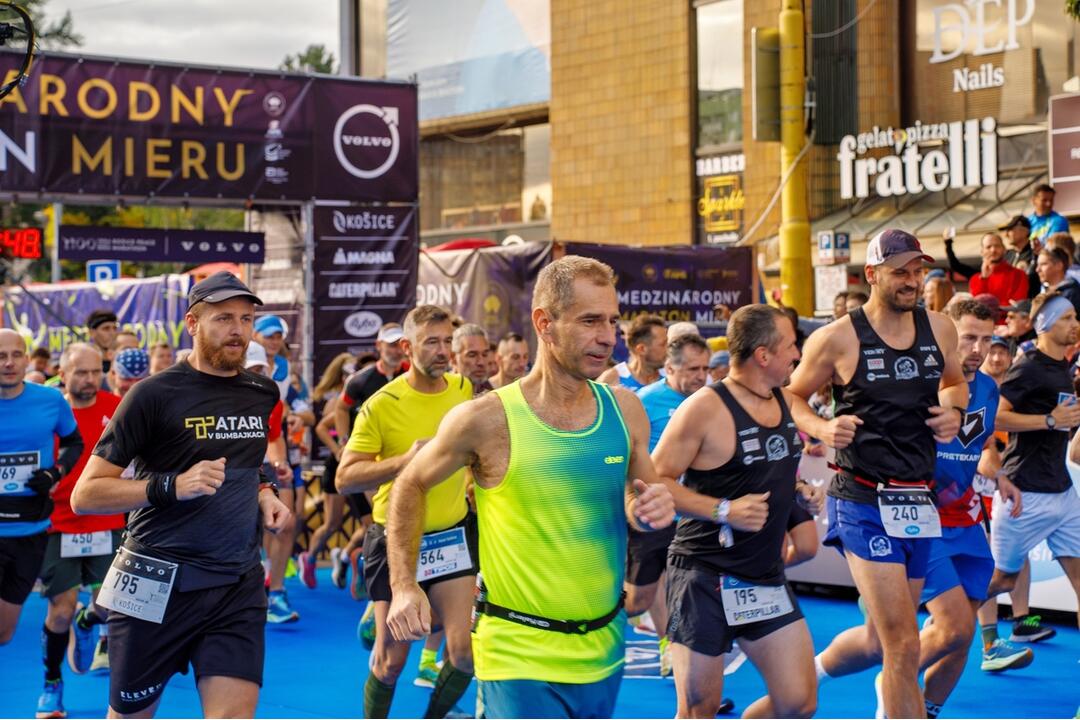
926,157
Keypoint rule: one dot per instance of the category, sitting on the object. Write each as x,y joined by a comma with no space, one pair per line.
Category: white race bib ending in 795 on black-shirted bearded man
138,586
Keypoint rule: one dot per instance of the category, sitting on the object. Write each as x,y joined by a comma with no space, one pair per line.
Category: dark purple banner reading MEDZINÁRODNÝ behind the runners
677,283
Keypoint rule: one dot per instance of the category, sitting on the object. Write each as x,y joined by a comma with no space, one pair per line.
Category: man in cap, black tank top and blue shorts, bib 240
899,388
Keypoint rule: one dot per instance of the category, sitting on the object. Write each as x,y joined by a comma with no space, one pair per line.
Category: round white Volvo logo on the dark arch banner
367,142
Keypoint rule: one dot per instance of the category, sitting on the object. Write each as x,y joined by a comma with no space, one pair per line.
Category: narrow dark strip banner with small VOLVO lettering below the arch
154,246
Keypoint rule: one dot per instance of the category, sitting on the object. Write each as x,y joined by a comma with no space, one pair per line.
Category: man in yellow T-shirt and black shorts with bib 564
391,427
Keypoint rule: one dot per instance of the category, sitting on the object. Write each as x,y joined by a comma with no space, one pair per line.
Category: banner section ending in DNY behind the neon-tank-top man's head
491,287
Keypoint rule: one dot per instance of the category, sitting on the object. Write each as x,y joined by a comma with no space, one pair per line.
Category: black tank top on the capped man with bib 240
893,392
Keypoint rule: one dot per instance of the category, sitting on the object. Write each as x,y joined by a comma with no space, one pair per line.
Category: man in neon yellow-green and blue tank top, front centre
561,465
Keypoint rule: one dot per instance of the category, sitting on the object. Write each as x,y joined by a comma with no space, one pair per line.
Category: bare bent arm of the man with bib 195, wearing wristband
681,444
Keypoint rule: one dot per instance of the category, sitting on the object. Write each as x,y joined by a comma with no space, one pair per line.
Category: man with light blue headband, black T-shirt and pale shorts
1039,409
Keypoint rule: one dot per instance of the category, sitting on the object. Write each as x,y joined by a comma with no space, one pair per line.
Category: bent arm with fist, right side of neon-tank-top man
649,501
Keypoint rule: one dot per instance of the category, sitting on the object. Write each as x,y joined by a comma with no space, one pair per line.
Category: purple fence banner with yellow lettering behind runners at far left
55,318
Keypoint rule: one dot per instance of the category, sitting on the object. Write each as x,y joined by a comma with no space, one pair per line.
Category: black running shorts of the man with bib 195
697,614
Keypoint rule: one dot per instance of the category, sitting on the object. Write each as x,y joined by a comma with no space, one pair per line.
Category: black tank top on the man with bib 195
765,460
